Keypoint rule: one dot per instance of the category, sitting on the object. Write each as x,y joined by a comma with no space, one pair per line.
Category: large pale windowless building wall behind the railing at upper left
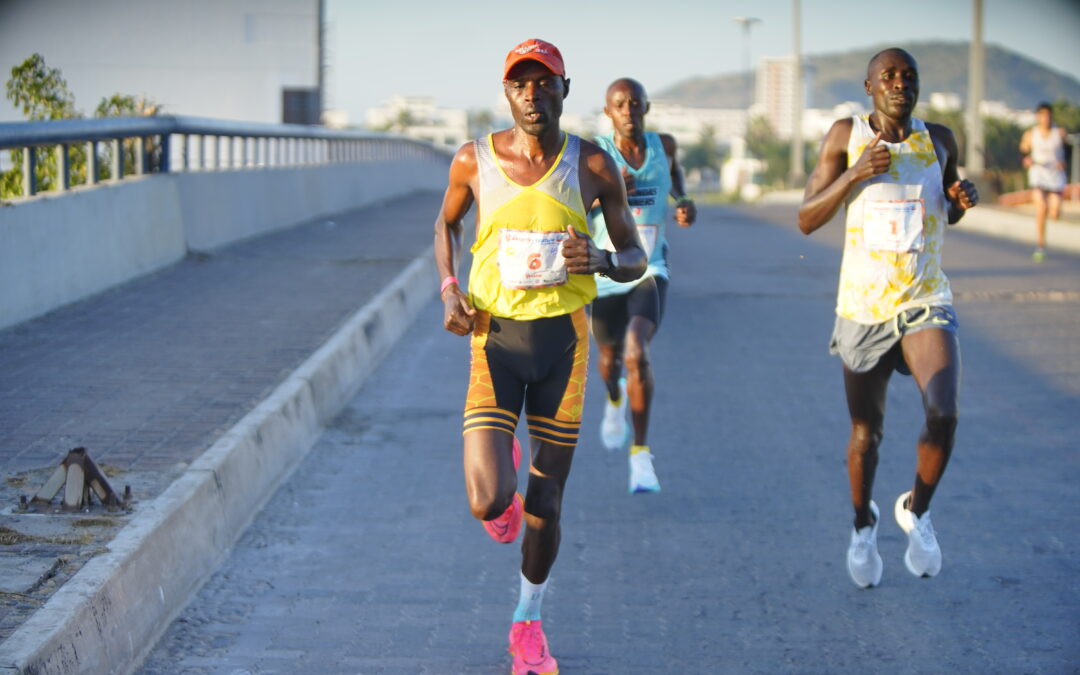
237,60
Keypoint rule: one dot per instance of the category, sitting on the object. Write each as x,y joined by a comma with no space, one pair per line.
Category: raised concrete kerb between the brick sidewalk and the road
109,616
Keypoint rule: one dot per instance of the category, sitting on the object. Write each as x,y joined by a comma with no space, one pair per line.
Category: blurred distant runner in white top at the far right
1044,151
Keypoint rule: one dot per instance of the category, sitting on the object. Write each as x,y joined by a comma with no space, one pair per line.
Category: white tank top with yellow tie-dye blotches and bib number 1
896,228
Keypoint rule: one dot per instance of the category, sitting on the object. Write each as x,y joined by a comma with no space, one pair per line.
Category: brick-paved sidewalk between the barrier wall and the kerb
148,375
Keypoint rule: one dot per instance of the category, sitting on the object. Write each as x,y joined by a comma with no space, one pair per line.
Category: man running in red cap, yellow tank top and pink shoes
532,277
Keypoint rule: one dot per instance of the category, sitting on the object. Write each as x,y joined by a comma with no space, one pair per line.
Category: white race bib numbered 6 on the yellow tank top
530,260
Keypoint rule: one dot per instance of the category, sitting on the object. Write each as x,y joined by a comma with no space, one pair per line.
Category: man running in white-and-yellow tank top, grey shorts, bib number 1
897,179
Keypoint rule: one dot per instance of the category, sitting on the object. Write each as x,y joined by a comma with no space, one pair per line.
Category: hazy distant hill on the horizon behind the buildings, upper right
943,67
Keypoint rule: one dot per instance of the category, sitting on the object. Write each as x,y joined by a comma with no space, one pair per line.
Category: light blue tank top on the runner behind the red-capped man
649,205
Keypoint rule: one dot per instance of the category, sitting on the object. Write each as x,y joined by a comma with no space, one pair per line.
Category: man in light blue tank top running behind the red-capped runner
627,316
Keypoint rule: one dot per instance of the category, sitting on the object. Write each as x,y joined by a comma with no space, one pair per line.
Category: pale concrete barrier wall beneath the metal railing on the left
56,250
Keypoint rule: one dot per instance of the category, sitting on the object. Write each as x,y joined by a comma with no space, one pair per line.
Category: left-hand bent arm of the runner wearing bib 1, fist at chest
832,180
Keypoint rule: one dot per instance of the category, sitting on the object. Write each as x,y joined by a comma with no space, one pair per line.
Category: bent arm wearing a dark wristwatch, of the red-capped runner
601,180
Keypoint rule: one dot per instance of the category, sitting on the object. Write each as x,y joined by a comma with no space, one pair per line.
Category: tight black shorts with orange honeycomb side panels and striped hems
541,364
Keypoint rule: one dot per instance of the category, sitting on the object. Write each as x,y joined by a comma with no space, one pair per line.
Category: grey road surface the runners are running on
369,562
